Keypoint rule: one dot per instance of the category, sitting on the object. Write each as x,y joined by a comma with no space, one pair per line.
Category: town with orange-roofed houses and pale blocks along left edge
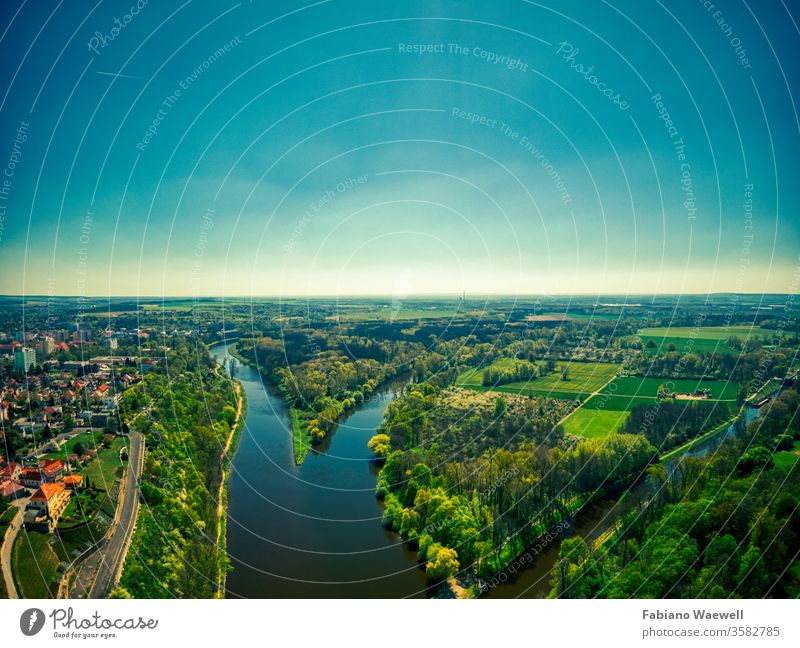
64,434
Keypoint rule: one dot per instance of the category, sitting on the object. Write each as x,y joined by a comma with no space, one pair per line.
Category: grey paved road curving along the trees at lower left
97,576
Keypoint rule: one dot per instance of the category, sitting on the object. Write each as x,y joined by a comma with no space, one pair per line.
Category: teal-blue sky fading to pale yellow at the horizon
275,148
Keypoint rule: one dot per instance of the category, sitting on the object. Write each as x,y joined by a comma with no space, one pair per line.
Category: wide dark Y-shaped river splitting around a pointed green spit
309,531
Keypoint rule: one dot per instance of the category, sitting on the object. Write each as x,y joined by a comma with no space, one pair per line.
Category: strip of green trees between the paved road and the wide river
174,551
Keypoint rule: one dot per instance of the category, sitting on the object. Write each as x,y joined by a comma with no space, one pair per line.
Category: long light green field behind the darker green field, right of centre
583,379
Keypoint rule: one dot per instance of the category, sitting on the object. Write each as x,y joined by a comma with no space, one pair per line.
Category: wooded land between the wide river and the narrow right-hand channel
470,507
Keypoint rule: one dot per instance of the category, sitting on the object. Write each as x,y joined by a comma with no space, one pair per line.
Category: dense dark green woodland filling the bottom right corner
727,525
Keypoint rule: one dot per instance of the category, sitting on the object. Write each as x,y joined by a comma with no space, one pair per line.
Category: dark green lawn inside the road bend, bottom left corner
35,565
